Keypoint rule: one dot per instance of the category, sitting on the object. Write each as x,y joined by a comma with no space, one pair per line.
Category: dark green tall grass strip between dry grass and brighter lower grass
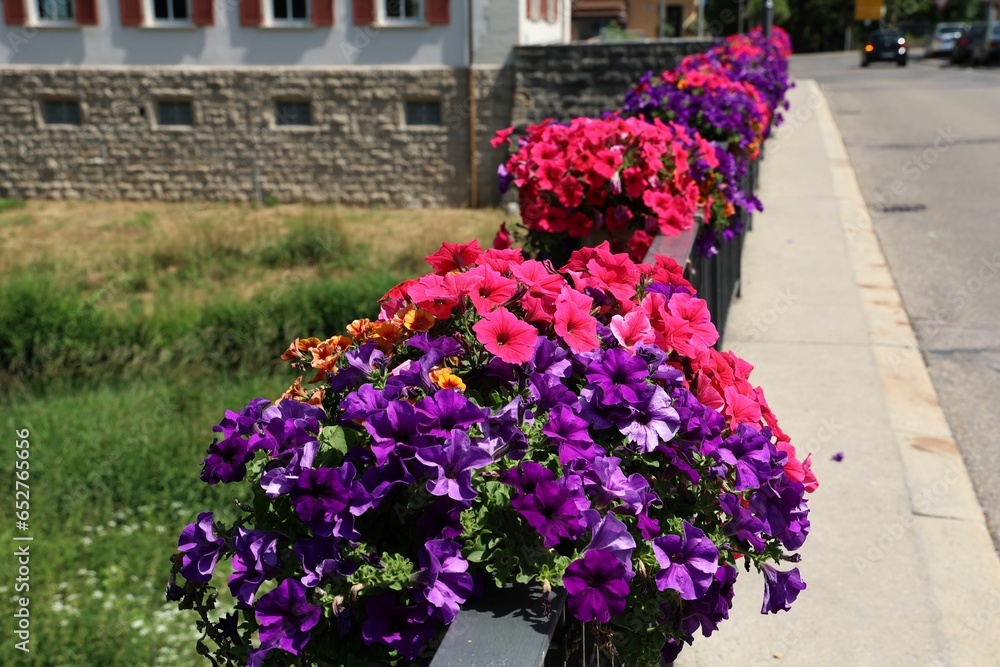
50,335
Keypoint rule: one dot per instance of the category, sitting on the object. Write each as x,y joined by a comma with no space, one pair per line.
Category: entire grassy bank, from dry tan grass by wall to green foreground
126,331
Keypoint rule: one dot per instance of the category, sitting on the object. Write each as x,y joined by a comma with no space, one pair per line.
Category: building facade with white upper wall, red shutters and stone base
359,102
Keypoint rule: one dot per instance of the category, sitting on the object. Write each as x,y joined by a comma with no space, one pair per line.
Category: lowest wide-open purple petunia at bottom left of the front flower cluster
286,617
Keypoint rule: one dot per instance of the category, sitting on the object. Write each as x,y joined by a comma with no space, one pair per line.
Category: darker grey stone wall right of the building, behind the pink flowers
567,80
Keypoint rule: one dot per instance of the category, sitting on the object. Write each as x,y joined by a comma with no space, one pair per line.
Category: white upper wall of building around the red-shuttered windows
229,44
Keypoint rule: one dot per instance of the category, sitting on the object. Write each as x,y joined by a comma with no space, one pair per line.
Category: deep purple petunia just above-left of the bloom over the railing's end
554,509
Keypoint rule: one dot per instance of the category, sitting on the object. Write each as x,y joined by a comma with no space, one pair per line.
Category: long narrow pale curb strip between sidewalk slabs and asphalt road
962,566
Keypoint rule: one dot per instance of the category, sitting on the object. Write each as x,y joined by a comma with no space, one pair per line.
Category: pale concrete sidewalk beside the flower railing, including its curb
899,565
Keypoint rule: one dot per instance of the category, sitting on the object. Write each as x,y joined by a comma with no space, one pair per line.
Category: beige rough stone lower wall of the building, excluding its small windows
357,151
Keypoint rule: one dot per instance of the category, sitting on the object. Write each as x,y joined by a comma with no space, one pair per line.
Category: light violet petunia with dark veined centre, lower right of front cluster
688,562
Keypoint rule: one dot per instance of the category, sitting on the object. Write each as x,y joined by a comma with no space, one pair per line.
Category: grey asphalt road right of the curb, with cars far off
924,141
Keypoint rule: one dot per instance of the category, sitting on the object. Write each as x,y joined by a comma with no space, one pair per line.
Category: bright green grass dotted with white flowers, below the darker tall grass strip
114,478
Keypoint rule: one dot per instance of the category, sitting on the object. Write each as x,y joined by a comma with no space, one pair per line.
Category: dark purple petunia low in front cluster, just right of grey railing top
595,586
